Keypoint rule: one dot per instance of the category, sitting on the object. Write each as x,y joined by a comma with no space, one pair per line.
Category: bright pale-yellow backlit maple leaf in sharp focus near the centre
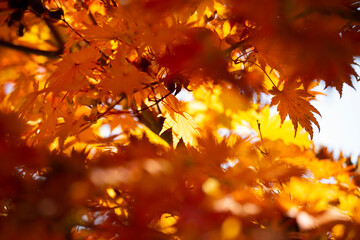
183,126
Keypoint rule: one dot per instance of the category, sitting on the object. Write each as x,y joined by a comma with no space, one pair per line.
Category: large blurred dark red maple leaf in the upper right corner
308,47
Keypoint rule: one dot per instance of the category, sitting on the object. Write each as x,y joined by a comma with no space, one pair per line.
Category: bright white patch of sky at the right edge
339,121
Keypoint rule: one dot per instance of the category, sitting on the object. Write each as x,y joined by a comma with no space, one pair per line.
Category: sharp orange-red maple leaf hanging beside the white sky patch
293,101
